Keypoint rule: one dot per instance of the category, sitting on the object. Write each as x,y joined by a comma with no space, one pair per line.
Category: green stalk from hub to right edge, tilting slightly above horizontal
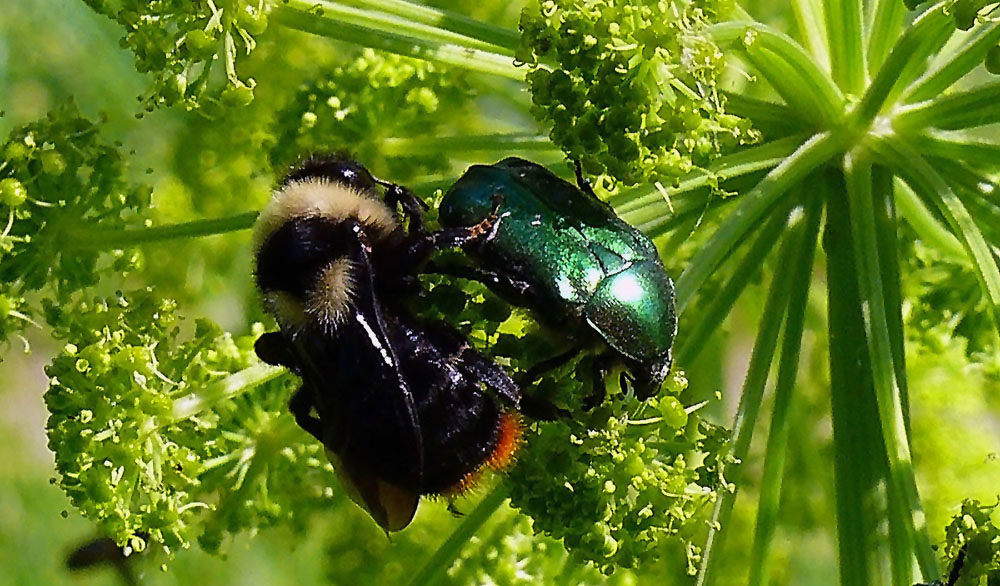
969,109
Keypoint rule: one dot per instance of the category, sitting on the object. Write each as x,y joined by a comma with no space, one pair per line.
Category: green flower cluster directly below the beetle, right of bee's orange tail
618,491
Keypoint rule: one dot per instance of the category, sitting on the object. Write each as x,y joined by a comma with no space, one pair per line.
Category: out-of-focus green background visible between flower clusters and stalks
52,50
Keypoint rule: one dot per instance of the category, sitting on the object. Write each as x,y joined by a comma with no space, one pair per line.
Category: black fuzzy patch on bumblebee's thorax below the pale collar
294,255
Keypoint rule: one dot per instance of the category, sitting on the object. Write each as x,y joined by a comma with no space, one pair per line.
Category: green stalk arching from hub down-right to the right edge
932,188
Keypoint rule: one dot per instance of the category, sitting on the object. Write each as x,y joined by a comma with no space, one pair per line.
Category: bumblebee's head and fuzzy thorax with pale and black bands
304,235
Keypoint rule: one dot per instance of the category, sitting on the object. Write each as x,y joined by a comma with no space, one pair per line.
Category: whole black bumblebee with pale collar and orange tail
404,407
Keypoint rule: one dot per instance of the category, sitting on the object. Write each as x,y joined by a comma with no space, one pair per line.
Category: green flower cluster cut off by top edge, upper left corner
179,42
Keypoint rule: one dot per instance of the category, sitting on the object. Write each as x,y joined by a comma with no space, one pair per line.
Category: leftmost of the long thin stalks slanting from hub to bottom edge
752,395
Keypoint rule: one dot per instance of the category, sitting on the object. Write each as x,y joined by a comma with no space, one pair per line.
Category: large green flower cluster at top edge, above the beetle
633,93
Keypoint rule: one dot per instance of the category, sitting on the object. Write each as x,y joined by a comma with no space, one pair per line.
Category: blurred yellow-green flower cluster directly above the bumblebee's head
367,106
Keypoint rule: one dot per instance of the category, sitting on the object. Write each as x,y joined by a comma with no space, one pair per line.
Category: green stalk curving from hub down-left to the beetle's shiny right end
752,207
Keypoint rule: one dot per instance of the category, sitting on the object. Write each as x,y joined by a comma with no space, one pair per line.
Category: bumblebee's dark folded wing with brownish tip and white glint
370,424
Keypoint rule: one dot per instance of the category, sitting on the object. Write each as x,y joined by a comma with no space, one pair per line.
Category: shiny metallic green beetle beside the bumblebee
563,253
